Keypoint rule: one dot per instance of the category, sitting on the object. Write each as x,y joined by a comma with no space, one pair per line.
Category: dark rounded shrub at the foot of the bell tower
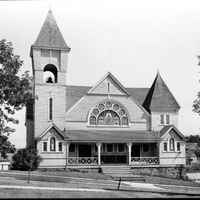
26,159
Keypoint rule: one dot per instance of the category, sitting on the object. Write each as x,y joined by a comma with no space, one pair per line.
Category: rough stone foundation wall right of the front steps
178,172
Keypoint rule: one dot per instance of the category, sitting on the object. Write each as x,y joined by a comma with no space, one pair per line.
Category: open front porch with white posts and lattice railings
98,154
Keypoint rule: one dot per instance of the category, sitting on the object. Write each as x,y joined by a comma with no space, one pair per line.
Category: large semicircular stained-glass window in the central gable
108,113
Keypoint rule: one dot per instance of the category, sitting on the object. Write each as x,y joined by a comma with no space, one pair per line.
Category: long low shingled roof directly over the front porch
112,136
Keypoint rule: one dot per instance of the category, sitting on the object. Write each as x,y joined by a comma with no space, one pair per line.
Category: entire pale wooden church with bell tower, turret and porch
105,124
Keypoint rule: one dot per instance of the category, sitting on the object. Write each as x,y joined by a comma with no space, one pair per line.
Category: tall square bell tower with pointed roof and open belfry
49,56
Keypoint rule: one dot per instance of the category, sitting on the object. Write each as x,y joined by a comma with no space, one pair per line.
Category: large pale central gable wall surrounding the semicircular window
107,89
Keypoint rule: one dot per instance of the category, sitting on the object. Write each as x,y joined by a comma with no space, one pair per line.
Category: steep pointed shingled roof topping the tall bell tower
50,35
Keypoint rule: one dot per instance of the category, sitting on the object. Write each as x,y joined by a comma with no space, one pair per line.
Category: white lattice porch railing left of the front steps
82,161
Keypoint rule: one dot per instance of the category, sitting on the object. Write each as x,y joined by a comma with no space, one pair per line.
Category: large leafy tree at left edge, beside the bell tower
15,93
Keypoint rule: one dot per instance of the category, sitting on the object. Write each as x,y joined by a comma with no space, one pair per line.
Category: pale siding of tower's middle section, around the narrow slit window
58,93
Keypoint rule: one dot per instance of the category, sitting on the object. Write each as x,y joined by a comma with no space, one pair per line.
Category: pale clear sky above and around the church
132,39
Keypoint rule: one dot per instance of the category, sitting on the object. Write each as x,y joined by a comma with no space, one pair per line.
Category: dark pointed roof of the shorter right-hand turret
159,96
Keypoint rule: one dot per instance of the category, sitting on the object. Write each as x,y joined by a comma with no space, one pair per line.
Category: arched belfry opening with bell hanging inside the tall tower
50,74
